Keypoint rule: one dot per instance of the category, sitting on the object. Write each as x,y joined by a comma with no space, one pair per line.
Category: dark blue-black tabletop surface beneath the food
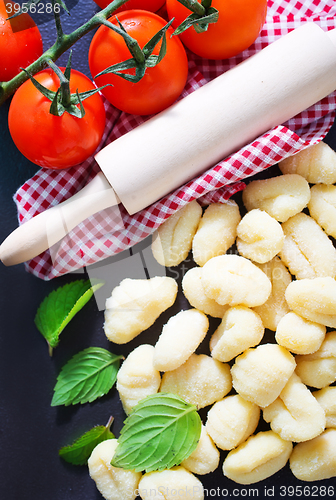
31,431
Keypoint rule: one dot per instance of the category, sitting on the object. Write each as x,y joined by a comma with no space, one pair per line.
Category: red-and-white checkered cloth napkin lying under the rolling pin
114,230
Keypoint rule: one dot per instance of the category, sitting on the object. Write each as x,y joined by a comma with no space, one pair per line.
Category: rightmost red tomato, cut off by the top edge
239,23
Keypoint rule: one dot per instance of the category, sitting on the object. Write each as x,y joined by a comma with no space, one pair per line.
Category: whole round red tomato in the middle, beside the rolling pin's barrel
160,86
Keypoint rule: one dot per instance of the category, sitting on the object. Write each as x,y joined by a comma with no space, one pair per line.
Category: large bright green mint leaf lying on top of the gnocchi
160,432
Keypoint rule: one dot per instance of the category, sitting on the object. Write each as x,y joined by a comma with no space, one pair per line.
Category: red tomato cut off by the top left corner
20,41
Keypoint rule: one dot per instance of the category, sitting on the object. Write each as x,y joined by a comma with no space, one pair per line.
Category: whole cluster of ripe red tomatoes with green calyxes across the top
137,58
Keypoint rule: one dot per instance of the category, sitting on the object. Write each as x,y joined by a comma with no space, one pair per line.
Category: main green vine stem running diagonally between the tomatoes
62,44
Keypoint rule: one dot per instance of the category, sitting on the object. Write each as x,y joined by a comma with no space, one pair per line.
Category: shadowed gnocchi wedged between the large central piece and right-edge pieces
275,306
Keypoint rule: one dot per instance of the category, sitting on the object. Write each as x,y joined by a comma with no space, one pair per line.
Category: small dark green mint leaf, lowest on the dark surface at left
80,450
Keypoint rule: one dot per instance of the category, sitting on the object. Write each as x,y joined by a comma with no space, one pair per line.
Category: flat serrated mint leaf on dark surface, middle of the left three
87,376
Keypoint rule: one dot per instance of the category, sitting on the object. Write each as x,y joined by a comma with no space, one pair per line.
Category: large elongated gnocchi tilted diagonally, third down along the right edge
307,250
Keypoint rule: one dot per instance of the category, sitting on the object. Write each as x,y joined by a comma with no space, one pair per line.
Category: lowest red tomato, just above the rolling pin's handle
55,141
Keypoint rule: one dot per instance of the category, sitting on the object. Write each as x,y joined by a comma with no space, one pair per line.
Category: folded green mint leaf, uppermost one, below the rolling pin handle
60,306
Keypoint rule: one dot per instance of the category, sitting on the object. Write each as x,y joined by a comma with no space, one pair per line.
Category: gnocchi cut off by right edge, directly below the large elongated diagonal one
314,299
